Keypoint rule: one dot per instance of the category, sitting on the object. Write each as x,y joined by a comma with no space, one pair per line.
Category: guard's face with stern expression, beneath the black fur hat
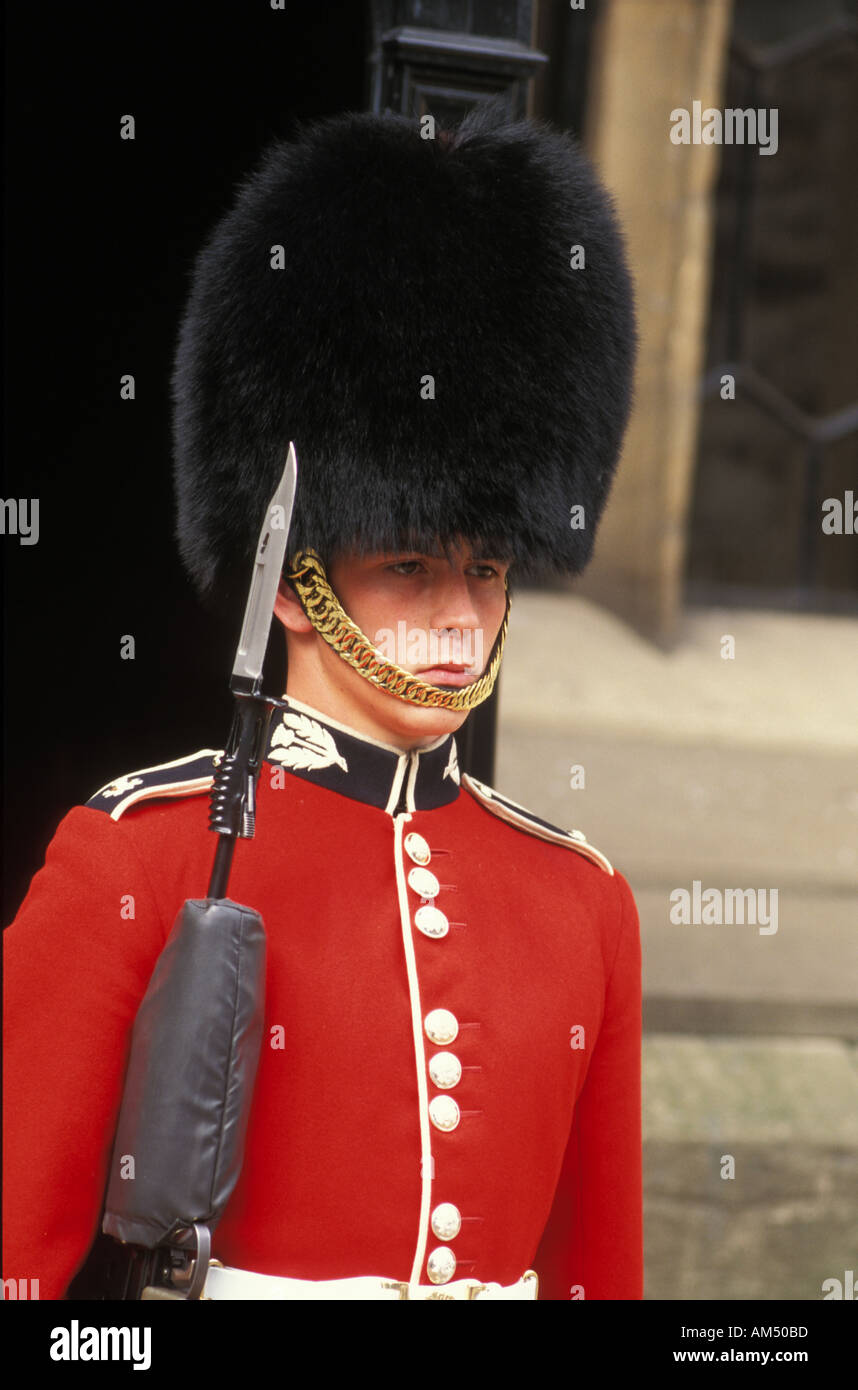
435,616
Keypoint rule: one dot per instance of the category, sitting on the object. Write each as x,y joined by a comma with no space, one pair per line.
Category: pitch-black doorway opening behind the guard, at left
101,237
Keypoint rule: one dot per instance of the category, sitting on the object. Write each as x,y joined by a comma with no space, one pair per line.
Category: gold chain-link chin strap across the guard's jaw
334,625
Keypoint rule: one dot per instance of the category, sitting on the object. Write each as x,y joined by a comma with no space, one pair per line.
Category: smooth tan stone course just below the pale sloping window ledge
672,812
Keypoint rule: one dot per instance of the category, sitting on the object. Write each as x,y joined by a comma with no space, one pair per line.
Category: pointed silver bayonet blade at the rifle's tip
268,569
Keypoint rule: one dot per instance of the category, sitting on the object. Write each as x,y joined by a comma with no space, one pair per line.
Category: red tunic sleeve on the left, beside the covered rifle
76,967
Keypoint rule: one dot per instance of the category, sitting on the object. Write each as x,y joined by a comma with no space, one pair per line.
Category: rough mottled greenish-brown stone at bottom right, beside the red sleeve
786,1111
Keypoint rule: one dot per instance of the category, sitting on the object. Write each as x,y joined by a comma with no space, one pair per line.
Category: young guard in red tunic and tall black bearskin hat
447,1103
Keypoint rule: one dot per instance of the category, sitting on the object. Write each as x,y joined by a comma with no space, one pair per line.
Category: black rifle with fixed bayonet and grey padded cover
198,1032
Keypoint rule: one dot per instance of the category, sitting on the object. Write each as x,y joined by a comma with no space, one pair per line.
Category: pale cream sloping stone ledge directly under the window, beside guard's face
791,686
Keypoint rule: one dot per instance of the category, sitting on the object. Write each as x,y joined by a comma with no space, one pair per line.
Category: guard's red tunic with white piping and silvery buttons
346,1164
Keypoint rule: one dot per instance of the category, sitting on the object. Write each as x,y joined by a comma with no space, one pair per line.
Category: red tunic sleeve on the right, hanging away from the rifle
593,1243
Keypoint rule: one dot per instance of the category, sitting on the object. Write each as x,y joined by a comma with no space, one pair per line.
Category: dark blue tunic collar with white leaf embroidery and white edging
319,750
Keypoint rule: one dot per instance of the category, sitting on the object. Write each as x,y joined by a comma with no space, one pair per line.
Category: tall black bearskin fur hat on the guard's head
429,337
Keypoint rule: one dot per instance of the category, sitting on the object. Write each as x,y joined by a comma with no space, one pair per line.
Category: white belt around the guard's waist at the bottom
223,1282
